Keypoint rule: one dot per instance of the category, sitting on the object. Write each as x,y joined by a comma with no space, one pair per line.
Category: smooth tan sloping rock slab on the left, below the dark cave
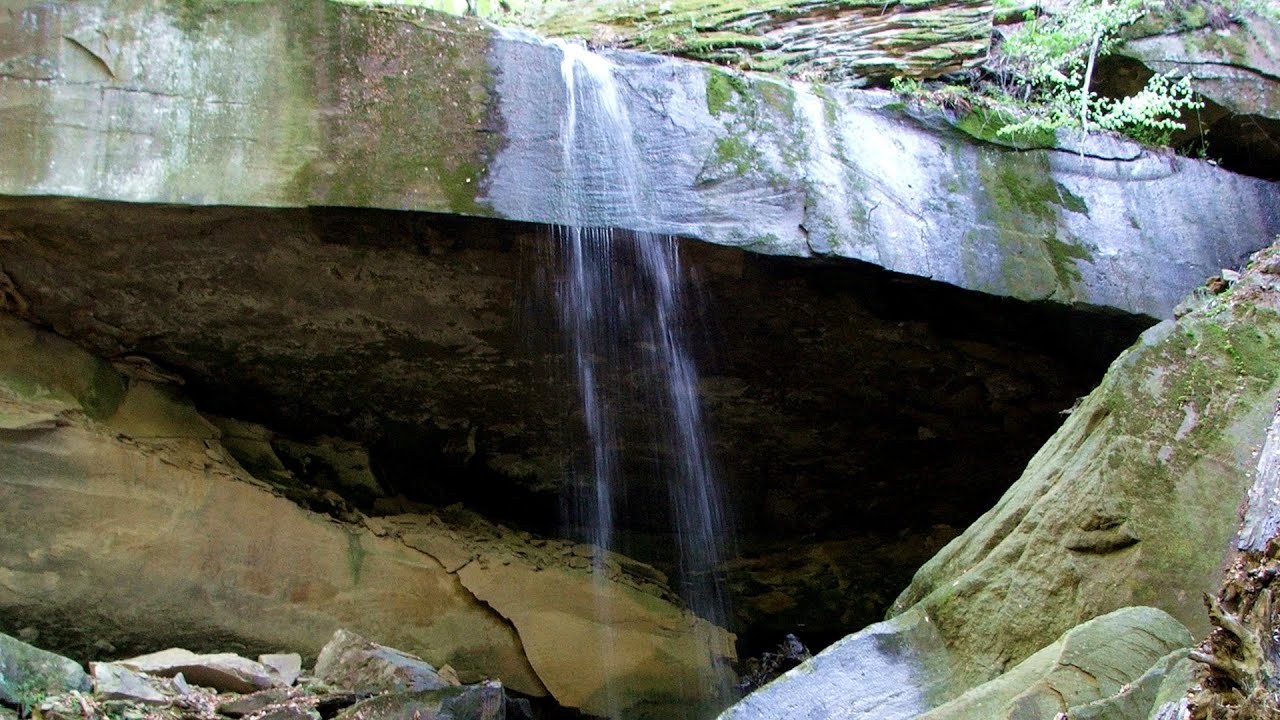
124,521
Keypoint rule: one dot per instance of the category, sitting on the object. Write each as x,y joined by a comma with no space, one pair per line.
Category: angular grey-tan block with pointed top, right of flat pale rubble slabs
351,663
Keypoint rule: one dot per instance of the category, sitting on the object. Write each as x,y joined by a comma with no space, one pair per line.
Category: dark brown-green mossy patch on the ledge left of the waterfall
415,101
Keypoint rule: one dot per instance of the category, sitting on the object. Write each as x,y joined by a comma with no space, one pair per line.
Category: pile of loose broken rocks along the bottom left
353,680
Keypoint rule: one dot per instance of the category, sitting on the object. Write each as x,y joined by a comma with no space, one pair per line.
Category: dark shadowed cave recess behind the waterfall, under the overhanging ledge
392,354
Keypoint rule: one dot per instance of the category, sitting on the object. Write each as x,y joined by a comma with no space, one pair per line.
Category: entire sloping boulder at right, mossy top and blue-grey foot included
1133,502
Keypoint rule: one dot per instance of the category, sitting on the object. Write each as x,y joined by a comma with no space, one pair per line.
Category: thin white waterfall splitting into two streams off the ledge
632,327
